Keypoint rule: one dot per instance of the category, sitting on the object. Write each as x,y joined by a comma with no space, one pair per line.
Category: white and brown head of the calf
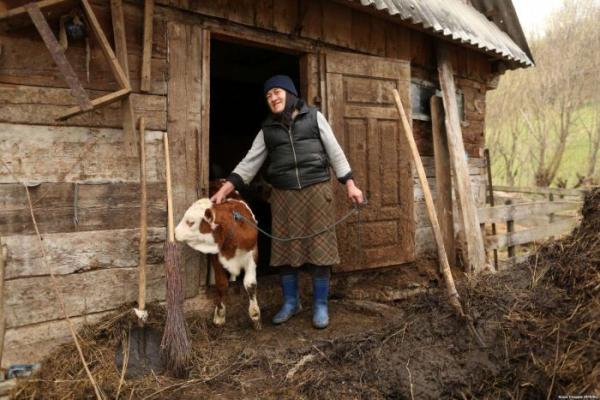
195,228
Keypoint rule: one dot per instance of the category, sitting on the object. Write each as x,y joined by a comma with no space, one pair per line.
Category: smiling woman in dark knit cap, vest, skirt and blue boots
300,147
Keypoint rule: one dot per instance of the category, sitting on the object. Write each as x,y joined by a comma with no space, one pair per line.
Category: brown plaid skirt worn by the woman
300,213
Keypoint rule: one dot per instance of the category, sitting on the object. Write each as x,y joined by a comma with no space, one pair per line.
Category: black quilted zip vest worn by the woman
297,158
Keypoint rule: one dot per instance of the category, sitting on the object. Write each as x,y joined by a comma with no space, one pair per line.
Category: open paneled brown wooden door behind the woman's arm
360,108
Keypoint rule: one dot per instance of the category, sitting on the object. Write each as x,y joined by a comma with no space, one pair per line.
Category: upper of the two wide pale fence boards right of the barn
521,211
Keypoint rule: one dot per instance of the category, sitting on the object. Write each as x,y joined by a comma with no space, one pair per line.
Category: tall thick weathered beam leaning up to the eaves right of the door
474,242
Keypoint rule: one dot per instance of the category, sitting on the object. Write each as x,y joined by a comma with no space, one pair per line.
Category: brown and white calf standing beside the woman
232,245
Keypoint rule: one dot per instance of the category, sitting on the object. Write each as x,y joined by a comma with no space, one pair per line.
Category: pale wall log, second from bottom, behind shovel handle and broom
32,300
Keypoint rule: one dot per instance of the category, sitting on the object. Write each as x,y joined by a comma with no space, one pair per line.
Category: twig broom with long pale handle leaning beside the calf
175,346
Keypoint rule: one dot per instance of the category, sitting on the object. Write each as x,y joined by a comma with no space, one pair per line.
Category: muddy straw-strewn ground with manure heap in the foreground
541,322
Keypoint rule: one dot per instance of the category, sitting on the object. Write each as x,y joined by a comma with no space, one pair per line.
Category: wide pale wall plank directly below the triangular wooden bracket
81,155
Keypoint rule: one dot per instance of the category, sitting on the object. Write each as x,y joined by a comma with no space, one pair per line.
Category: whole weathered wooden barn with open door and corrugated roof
207,65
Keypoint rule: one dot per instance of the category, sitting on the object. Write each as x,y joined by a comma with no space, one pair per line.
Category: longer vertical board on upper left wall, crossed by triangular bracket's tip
118,21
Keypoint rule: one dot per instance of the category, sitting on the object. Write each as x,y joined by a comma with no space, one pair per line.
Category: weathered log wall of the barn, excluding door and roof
79,167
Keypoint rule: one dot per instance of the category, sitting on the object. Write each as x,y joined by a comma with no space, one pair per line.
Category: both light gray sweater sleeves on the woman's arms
256,156
